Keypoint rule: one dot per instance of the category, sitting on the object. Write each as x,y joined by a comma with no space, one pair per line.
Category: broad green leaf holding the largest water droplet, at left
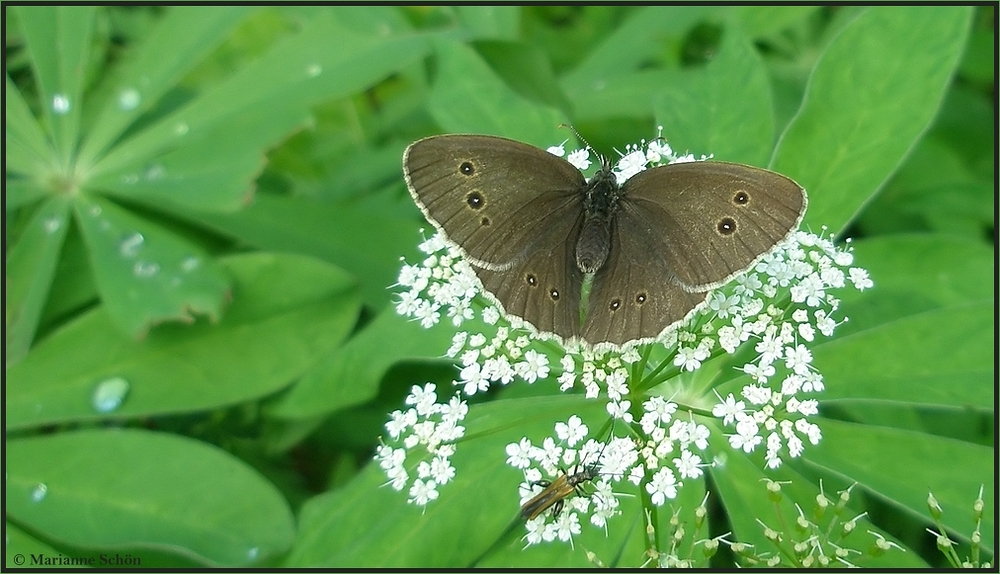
288,312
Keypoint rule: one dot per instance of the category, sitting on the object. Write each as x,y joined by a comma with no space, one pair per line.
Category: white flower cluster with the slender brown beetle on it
665,454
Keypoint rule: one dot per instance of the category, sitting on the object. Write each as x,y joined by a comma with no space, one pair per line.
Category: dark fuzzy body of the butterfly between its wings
600,202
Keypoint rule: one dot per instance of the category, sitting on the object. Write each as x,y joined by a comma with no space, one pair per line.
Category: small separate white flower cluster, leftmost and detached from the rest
434,428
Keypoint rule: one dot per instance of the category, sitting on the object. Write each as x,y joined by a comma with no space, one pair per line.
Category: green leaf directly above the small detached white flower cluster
352,374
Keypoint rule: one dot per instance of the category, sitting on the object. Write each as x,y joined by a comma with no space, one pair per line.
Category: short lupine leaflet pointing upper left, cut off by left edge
26,149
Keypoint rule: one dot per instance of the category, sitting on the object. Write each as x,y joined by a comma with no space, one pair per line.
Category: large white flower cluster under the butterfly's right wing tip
802,269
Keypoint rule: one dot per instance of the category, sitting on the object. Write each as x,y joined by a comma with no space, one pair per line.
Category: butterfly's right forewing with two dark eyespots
713,219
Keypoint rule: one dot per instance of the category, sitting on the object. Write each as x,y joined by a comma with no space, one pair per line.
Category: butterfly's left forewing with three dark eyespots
491,196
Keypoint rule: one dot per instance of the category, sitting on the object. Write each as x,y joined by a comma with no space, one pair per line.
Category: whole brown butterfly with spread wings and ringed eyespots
532,227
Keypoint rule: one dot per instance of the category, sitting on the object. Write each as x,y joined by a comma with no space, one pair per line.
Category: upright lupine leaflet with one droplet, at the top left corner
59,41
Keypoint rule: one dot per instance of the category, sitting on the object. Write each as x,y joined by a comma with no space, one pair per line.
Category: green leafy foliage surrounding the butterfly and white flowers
205,211
